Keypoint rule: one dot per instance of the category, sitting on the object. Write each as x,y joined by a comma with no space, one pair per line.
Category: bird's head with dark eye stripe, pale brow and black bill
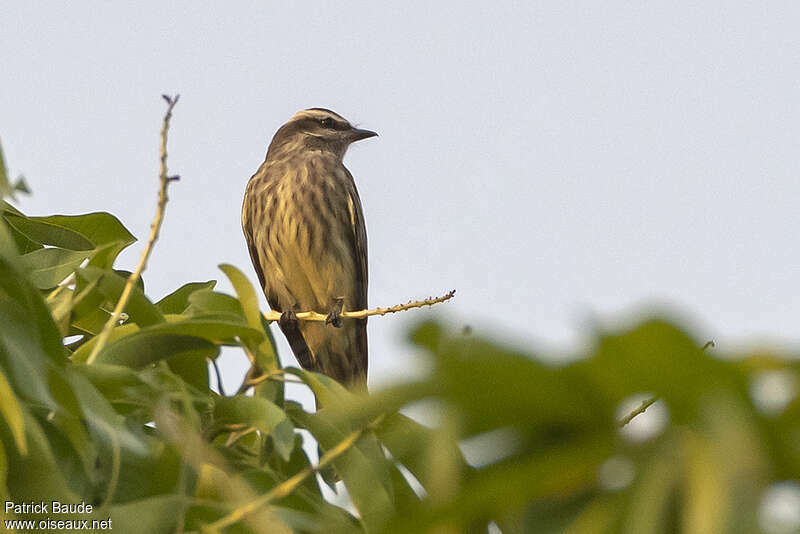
316,129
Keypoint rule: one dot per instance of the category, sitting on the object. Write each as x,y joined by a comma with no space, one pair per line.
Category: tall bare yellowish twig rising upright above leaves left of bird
102,339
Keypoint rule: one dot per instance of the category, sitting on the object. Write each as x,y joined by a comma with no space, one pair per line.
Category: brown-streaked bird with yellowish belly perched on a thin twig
304,225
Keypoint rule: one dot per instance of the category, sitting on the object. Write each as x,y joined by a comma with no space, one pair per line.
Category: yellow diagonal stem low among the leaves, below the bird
290,484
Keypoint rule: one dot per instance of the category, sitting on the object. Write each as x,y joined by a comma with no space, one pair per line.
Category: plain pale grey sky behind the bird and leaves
559,164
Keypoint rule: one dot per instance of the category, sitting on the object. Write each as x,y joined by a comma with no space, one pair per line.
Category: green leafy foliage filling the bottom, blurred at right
141,436
